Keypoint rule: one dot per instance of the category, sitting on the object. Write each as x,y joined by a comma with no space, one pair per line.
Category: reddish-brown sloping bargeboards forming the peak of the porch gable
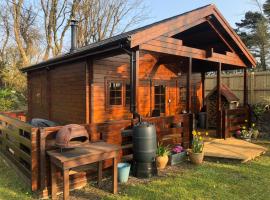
186,21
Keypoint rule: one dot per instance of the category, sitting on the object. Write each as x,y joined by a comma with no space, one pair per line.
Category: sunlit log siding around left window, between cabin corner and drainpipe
117,68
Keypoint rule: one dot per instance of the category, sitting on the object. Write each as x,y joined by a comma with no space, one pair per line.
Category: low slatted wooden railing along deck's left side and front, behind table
26,146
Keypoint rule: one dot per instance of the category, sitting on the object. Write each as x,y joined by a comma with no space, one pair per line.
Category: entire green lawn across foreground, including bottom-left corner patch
212,180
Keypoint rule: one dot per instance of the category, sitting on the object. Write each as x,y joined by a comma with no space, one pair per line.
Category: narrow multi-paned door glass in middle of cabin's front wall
160,102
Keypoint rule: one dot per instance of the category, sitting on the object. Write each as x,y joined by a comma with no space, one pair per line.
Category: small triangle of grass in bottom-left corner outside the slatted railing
11,186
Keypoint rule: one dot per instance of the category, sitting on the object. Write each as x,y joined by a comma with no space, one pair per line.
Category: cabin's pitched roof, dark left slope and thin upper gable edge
117,40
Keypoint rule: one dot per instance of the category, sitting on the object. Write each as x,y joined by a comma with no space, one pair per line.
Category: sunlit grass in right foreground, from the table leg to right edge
209,181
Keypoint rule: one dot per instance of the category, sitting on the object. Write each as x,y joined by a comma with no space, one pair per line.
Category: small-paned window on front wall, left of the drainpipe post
115,93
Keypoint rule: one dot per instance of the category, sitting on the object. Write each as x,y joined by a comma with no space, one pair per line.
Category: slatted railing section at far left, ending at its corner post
18,142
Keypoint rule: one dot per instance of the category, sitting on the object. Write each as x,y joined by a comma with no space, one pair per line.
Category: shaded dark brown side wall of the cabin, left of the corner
58,94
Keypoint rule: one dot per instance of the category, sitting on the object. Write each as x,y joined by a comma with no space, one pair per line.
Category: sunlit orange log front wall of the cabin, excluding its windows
151,73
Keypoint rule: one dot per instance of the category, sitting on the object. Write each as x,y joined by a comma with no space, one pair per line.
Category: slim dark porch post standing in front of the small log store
219,117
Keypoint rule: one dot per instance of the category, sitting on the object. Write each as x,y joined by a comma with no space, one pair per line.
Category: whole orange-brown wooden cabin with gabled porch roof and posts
154,71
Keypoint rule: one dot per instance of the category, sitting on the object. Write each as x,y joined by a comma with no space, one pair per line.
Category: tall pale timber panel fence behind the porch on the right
258,86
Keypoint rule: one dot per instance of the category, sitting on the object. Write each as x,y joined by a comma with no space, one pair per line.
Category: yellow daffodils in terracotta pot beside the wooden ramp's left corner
196,154
